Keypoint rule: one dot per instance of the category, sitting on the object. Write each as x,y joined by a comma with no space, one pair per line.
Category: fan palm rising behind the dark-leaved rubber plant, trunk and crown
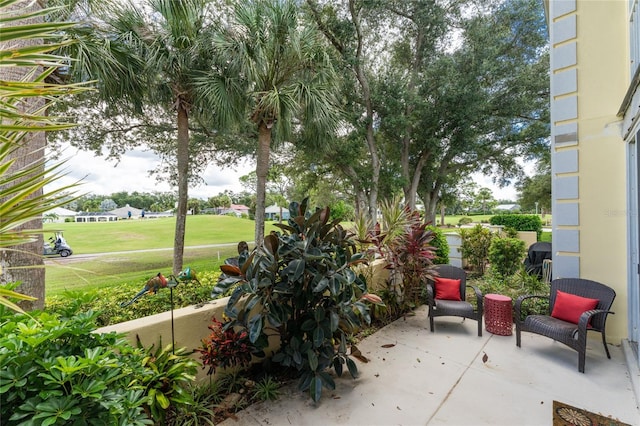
276,74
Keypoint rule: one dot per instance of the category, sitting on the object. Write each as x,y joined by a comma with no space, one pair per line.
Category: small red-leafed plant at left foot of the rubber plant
225,347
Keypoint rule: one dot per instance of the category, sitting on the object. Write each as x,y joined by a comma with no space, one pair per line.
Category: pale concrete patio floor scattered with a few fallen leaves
442,378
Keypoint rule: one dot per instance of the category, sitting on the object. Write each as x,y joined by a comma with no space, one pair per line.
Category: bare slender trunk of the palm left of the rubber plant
183,188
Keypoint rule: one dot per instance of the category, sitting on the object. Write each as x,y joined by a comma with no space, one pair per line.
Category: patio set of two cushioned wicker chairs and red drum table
576,307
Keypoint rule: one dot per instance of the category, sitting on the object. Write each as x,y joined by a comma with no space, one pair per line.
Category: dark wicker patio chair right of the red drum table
568,333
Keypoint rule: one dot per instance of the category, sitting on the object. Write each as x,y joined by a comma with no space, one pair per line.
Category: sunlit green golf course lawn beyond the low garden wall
122,238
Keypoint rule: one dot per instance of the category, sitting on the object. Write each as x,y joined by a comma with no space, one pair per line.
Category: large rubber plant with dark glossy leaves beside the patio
299,283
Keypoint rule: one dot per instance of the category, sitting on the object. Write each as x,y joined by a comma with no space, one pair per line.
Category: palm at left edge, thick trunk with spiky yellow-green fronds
25,64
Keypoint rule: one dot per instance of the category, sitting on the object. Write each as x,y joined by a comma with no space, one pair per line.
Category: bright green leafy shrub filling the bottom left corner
56,371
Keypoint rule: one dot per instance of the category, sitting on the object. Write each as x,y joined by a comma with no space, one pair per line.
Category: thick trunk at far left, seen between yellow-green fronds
24,263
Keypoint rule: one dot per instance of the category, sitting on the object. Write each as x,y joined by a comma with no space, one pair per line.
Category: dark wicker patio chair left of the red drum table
462,308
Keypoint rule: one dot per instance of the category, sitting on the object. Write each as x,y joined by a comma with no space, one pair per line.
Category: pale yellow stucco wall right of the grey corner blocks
602,63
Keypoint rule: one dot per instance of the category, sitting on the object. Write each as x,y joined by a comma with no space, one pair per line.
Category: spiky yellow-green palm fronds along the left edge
22,198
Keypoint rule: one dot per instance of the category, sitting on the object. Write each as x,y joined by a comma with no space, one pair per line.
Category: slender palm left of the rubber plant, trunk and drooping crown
146,54
